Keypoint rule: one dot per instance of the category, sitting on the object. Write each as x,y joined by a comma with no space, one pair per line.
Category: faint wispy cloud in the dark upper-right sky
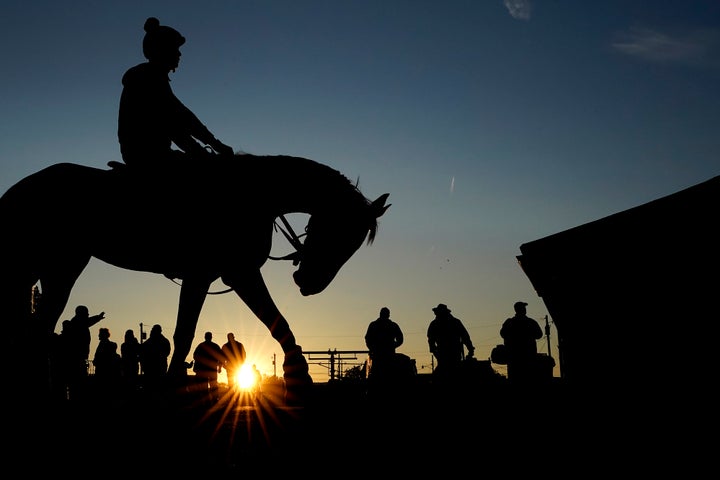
696,47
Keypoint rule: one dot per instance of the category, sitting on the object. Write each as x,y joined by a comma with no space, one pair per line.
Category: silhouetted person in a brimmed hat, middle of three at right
446,337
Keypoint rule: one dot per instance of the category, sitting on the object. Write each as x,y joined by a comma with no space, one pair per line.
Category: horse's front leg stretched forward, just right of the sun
251,288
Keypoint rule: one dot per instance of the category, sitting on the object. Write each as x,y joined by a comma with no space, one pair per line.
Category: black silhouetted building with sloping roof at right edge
634,297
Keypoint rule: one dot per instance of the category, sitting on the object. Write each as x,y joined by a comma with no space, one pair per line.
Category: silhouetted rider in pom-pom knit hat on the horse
151,117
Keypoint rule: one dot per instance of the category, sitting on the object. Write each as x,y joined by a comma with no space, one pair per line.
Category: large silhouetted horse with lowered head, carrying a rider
168,222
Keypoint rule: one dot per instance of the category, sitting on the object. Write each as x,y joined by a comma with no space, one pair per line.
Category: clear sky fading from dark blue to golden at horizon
490,123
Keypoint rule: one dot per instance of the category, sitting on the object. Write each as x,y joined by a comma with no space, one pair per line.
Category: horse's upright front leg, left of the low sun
192,297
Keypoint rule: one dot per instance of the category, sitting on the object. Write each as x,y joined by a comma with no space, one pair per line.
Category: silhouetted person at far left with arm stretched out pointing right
78,349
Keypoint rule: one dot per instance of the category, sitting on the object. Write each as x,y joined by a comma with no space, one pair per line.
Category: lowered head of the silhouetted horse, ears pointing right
332,237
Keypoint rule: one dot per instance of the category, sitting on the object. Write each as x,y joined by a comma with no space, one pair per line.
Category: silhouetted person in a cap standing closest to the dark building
520,334
